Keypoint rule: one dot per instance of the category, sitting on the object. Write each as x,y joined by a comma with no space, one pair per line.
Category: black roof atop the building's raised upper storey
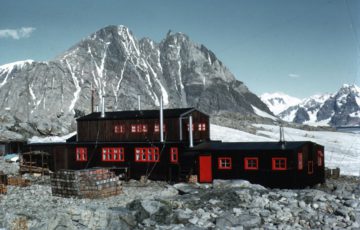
138,114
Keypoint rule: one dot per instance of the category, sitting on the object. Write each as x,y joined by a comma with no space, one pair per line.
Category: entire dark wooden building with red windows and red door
130,143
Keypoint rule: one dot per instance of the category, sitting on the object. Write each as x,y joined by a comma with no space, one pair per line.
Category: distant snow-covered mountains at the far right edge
338,109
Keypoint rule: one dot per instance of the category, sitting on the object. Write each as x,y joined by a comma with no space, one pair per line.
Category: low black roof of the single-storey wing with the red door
257,146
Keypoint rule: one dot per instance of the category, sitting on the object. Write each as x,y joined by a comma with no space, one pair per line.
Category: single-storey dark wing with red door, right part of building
273,164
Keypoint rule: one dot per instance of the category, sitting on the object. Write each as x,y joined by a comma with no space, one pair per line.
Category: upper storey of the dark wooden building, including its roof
142,126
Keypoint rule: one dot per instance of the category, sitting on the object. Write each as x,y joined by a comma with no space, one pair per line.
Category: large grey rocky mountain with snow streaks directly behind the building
44,97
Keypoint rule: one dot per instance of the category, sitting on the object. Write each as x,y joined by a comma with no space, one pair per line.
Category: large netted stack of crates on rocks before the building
86,183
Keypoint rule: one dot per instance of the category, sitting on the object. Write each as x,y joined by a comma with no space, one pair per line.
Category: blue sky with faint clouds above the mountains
300,47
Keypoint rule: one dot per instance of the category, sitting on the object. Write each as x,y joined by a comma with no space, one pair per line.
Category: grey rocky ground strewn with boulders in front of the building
158,205
